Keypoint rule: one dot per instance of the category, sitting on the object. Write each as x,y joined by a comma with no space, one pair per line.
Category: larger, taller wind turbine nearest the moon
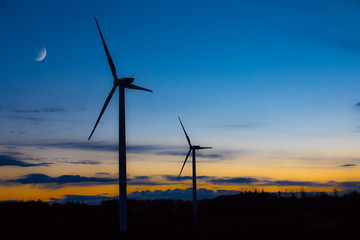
122,84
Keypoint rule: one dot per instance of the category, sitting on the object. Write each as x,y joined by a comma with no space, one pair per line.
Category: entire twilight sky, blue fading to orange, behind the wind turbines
272,86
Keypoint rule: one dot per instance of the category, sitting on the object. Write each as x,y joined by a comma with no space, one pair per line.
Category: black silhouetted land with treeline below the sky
242,216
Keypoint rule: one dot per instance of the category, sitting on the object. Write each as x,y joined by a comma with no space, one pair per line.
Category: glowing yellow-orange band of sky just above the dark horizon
264,168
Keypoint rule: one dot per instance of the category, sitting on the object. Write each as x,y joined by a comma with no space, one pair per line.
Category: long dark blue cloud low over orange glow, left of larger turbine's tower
37,178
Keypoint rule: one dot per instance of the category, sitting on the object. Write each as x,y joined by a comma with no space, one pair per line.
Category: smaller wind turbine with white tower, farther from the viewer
192,148
